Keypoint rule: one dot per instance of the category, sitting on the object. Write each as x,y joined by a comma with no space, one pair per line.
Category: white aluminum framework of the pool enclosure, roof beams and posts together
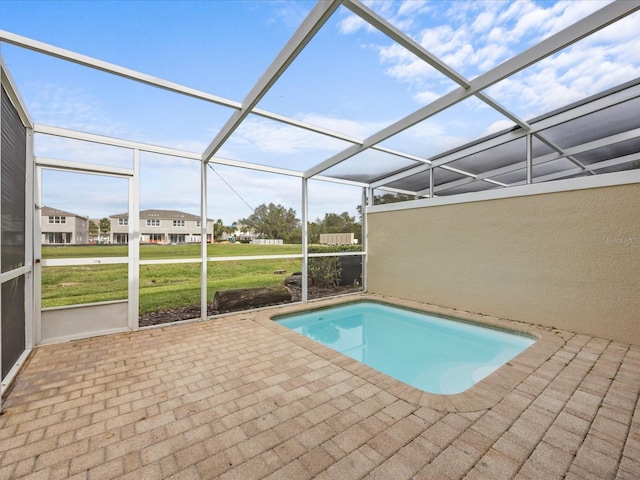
239,111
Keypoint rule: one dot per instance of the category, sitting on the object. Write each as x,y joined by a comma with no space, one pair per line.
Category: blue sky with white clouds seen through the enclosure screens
350,78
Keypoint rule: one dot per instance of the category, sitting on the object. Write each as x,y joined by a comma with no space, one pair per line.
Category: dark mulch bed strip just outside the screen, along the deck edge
193,311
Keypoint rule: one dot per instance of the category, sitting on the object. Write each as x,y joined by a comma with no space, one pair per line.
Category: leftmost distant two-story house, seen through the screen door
60,227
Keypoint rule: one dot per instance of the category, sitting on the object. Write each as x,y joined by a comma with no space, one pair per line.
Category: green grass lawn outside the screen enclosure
161,286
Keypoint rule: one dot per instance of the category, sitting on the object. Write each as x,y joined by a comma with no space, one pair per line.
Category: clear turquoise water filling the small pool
434,354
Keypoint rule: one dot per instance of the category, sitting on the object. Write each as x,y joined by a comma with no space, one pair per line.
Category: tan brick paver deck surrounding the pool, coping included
240,397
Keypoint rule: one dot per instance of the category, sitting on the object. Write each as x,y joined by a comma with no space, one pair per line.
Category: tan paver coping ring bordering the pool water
481,396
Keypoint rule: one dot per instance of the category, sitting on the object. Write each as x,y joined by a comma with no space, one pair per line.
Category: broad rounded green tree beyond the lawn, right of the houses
274,221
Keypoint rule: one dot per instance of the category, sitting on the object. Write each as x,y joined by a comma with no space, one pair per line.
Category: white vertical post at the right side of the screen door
134,243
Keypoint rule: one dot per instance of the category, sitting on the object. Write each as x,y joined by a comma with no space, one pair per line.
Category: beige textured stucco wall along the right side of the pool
568,259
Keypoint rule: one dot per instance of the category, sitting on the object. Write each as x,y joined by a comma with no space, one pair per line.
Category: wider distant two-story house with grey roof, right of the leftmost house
160,226
